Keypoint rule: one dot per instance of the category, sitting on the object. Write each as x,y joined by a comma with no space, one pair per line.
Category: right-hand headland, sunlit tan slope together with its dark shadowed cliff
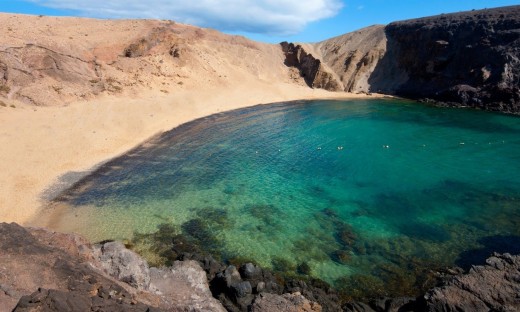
461,59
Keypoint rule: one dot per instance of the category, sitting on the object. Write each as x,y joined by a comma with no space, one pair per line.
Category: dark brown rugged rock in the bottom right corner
494,286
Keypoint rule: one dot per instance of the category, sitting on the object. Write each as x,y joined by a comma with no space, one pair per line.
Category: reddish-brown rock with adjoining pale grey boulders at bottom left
47,271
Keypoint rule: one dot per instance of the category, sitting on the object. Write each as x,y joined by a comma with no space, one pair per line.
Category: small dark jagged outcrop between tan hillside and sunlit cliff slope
311,69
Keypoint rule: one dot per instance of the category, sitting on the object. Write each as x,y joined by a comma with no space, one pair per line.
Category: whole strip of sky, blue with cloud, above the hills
264,20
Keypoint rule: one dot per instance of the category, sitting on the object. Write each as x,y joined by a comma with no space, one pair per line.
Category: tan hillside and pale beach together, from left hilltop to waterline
79,101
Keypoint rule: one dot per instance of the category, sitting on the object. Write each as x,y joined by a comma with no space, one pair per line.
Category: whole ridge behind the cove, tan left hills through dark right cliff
461,59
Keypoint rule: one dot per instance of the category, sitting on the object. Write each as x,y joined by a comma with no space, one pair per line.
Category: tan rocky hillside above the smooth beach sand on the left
52,61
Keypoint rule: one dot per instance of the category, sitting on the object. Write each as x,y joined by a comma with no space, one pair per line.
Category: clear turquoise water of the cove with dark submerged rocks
372,195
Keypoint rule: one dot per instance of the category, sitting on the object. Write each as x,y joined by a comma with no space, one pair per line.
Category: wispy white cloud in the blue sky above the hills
280,17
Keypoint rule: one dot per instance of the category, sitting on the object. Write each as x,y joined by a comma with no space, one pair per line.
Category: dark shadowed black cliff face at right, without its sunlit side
462,59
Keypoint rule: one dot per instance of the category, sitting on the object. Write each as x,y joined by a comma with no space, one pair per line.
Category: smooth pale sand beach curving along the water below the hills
49,149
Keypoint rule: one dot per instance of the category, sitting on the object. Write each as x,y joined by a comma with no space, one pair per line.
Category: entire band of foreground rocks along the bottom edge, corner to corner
47,271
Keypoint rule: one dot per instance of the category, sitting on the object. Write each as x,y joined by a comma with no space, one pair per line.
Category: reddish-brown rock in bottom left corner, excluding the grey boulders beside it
48,271
